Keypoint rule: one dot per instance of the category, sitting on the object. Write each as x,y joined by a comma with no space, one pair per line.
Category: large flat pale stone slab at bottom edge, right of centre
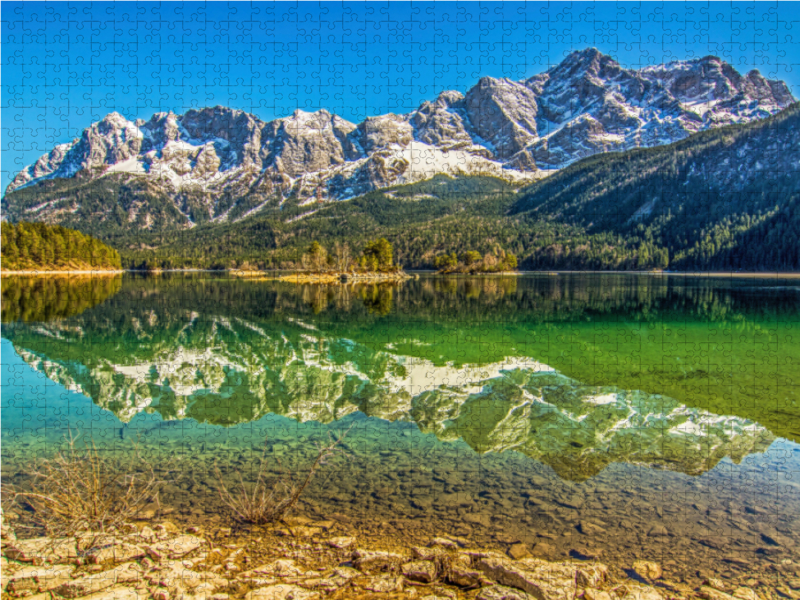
542,579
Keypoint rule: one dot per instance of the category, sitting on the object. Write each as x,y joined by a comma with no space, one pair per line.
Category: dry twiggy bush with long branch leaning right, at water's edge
269,499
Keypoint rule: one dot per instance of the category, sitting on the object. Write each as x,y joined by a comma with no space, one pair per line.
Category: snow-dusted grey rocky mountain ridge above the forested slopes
213,158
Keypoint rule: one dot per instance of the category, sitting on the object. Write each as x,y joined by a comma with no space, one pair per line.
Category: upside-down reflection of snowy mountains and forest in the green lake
649,371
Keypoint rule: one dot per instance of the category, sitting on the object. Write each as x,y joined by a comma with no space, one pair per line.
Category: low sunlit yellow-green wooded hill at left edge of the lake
41,247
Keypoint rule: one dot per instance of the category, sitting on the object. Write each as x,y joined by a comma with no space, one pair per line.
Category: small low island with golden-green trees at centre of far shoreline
374,264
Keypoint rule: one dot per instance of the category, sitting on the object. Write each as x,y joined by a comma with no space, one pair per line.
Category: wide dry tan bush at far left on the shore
83,489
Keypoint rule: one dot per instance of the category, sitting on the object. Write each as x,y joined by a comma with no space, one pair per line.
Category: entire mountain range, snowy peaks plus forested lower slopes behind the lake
688,165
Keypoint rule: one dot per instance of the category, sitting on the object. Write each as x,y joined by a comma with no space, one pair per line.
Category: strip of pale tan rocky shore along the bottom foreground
301,559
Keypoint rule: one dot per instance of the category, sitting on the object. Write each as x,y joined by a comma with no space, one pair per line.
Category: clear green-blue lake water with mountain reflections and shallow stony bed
618,416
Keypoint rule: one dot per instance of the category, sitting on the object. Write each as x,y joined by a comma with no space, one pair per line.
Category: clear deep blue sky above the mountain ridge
65,65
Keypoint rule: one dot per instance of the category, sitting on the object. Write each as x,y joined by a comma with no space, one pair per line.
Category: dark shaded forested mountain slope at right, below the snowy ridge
722,199
